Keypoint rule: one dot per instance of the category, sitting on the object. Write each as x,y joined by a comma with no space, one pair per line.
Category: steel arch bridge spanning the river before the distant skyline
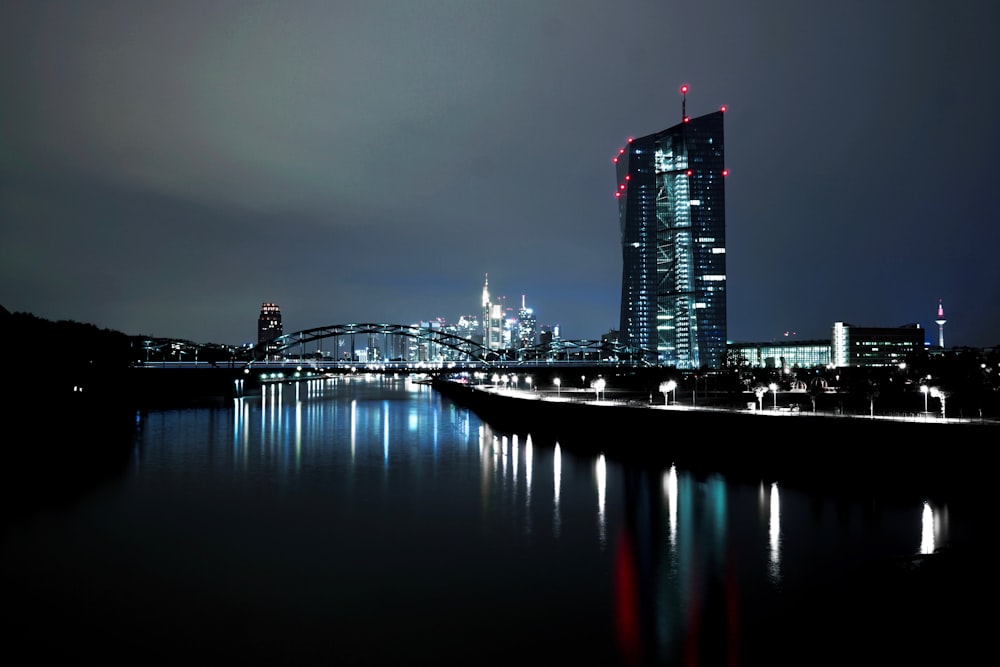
438,344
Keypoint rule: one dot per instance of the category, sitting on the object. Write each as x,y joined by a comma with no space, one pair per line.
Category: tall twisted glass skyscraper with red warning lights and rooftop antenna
672,213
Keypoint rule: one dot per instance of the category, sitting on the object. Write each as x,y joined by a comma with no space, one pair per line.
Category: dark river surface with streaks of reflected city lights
371,521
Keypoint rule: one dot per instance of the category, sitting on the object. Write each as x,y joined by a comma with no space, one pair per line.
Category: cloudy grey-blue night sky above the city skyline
166,167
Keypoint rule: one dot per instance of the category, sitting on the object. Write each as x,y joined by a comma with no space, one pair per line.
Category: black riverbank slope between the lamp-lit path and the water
814,450
